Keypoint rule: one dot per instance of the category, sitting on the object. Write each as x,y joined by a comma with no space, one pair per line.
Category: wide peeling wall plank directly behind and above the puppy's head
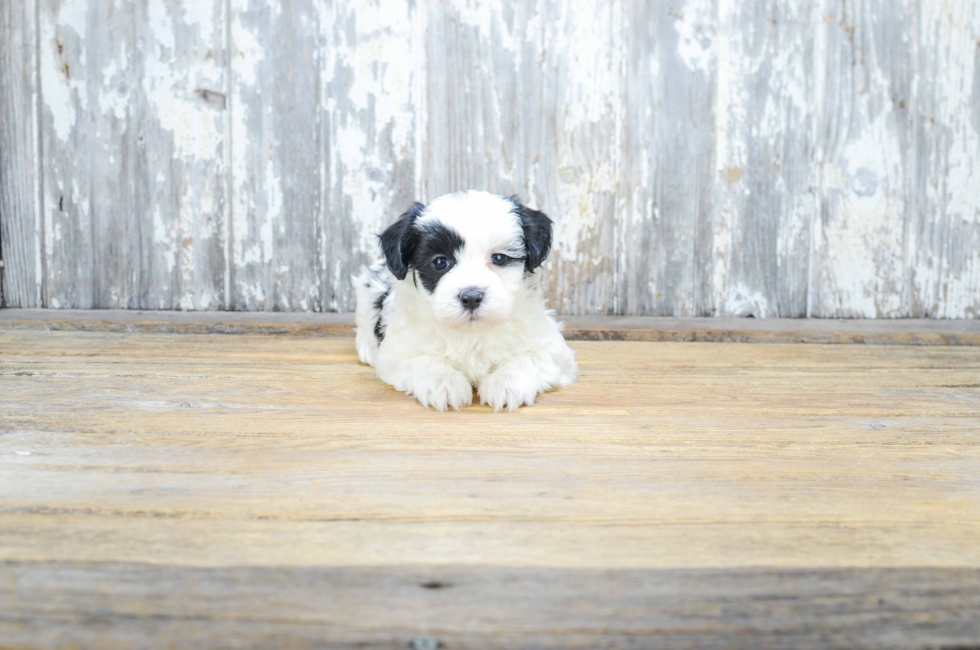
526,97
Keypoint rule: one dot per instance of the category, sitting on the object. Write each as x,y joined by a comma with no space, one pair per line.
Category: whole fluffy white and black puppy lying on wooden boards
455,305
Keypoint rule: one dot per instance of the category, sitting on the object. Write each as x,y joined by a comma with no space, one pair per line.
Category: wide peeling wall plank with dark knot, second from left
134,192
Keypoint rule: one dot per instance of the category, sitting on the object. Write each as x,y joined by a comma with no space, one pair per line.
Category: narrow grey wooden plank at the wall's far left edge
20,234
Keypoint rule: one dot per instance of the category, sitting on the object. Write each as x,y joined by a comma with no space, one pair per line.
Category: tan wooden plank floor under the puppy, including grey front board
163,490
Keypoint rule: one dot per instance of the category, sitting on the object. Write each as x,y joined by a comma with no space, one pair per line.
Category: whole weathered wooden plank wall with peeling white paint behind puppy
706,157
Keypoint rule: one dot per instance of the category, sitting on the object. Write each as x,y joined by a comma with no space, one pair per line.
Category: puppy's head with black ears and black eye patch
469,255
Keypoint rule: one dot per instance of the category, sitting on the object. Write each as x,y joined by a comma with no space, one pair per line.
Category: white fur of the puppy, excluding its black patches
434,349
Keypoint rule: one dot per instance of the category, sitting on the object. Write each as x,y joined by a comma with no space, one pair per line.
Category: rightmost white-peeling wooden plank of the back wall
944,271
